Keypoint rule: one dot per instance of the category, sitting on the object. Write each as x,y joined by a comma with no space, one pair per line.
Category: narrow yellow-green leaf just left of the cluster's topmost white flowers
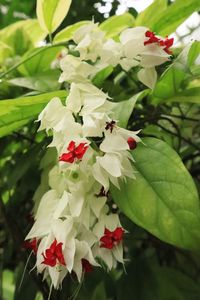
67,33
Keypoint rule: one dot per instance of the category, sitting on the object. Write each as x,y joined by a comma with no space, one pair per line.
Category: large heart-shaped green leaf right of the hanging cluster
163,198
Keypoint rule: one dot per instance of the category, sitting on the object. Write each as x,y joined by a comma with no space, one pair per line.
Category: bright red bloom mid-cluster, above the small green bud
74,153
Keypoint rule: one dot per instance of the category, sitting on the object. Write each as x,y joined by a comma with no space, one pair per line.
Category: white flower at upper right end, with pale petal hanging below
138,51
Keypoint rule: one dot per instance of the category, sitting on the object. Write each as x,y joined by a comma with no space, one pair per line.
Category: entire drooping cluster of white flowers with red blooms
74,228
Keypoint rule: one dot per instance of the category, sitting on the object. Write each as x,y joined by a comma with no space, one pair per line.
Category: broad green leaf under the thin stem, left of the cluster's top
40,61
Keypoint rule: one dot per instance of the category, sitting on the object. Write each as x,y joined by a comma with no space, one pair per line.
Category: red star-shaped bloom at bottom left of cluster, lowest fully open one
54,255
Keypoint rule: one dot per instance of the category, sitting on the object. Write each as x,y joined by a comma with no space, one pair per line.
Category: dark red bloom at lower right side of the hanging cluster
111,238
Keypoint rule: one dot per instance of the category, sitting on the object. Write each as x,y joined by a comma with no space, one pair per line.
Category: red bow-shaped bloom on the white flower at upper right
166,43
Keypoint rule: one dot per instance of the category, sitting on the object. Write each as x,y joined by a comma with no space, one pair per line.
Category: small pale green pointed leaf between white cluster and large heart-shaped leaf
123,110
